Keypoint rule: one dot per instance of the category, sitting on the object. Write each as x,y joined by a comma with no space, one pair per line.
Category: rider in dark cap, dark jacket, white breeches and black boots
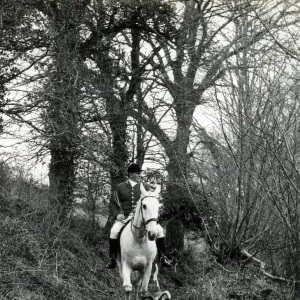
125,198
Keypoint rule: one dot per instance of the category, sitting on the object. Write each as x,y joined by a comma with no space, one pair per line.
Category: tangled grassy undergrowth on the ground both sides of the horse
42,260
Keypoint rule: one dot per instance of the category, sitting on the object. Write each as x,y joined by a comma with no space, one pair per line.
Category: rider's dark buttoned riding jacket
125,198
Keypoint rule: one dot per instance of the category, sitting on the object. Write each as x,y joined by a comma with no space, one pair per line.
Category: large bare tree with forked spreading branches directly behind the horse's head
203,43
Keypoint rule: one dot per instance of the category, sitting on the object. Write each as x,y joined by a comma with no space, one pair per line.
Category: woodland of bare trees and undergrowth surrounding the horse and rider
97,84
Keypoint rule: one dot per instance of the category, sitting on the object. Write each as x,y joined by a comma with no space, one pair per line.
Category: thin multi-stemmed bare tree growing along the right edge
255,186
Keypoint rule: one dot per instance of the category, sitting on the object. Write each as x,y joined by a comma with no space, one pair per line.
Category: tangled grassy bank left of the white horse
41,259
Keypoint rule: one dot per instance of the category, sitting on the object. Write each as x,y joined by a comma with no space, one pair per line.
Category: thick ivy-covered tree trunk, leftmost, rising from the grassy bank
63,94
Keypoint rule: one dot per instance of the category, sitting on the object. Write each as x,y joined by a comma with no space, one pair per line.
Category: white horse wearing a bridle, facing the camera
138,247
